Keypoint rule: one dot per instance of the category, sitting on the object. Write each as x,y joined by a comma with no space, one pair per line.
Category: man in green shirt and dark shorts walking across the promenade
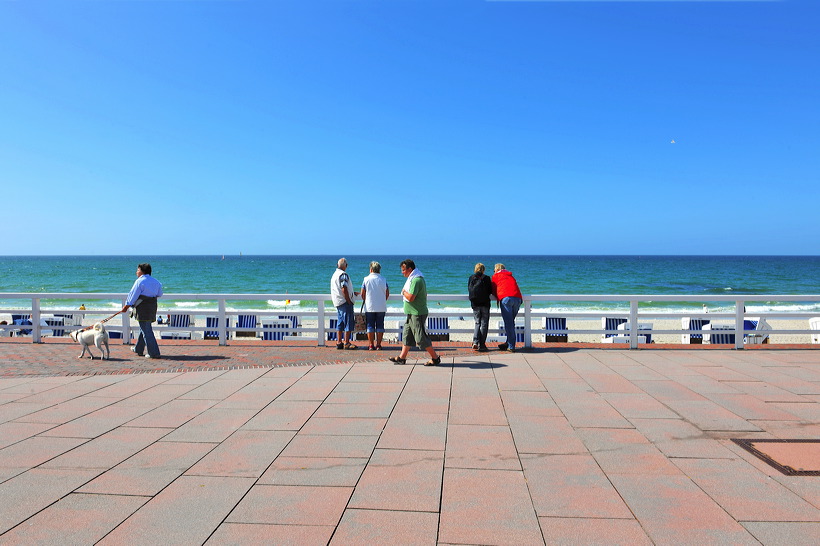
414,294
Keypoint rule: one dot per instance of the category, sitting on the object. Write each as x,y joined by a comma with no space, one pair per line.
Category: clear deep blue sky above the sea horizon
409,127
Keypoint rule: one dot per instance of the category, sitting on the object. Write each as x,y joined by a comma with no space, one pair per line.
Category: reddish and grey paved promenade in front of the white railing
290,444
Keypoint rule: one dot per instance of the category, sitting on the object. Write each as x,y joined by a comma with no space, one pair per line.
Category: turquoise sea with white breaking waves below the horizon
691,275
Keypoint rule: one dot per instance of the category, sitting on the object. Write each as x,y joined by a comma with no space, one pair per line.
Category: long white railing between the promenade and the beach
634,313
